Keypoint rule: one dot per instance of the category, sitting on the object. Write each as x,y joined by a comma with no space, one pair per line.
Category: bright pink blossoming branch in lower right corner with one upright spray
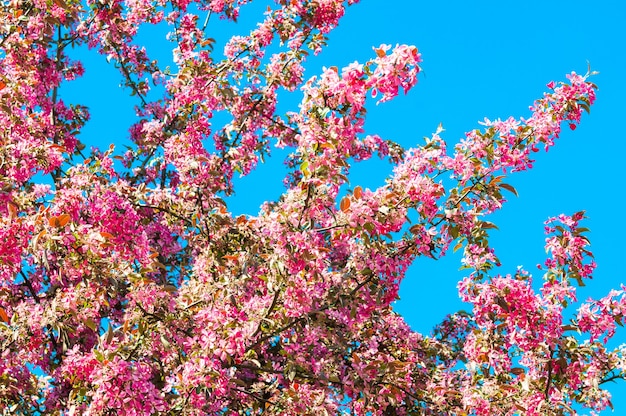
518,326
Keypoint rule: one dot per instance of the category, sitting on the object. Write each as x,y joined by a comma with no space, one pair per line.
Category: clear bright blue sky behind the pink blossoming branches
480,59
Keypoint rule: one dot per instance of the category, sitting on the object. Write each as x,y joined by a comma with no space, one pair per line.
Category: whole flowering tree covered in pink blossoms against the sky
127,287
